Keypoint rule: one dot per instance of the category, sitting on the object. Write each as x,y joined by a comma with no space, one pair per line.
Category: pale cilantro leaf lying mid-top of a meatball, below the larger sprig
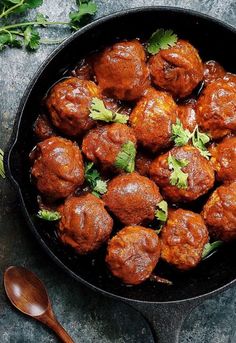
178,177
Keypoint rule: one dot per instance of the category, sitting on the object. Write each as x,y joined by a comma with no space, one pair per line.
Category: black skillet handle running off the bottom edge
166,319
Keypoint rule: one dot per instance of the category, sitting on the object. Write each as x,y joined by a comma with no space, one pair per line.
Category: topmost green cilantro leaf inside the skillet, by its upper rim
160,40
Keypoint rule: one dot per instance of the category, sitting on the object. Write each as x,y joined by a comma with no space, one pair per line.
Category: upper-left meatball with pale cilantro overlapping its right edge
68,104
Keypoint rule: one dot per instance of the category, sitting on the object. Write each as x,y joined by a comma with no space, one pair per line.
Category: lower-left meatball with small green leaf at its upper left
85,224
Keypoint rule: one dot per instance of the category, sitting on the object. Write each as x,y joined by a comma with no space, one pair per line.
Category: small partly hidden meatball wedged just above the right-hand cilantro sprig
187,114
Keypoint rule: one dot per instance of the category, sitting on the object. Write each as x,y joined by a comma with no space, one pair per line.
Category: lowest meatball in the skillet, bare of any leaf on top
133,254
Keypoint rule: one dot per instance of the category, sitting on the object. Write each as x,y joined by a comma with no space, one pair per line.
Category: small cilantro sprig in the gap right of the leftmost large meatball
92,176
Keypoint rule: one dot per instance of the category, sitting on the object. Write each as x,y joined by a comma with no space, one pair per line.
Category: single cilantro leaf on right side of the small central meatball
126,157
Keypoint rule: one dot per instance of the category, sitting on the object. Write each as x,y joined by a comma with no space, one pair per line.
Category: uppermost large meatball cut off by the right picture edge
216,108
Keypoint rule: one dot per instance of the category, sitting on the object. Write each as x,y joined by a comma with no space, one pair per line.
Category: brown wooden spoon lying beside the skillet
28,294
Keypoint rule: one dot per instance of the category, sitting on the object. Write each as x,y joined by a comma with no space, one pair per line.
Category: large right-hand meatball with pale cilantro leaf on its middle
200,174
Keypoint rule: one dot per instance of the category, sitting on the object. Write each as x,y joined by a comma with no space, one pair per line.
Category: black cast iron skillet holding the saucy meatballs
165,307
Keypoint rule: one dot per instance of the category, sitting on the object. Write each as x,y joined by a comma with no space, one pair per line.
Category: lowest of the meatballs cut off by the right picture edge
219,213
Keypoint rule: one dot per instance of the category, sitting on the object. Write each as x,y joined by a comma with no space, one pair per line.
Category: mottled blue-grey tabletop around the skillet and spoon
89,317
